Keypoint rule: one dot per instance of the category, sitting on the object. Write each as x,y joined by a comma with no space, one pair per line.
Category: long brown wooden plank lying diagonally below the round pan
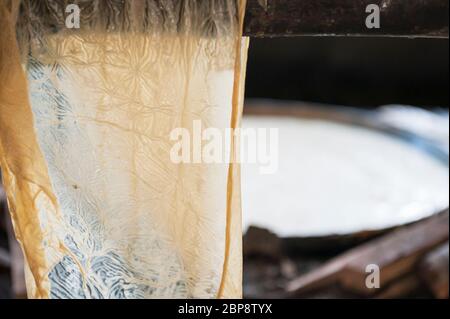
396,254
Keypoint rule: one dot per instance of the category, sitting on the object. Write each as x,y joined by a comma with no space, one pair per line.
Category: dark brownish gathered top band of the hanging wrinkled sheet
213,18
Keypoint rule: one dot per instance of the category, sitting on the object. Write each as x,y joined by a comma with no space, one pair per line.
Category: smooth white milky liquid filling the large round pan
337,179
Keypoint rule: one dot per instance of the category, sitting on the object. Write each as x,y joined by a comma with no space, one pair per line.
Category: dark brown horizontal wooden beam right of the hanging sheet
411,18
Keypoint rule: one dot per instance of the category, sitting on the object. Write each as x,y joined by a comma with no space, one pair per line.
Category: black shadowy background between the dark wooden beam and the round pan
361,72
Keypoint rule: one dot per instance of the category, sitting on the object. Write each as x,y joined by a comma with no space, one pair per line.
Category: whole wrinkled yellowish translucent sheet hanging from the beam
85,118
